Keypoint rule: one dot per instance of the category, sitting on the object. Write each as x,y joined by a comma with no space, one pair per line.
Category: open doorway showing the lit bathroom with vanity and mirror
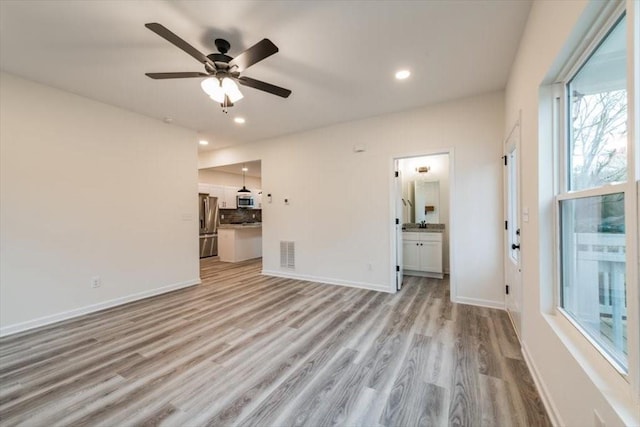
422,206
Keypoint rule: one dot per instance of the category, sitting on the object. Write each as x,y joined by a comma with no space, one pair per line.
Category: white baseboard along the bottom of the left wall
65,315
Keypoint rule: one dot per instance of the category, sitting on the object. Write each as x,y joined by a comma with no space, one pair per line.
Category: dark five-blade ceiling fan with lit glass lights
222,71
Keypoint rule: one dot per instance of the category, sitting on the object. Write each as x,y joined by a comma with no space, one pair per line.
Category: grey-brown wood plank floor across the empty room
244,349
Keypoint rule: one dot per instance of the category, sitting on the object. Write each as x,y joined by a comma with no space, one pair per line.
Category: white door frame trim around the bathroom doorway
394,197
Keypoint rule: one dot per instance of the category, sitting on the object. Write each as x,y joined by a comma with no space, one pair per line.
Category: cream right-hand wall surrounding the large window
574,378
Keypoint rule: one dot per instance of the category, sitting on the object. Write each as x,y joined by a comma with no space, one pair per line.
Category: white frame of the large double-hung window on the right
630,188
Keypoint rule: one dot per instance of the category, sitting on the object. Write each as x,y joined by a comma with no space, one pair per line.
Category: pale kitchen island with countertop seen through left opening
239,242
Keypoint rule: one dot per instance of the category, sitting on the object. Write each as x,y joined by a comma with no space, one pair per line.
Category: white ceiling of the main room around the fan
338,57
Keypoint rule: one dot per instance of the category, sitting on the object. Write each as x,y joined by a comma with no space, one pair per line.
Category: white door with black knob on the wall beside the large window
513,271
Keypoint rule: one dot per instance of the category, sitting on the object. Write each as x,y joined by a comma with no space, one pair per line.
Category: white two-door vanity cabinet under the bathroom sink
422,254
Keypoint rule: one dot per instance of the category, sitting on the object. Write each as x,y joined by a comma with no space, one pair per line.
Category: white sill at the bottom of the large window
611,384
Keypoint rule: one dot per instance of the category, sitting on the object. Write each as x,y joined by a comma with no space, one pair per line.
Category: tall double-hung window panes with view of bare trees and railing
594,188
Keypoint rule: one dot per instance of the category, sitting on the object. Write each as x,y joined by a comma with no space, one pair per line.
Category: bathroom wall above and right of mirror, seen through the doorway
439,171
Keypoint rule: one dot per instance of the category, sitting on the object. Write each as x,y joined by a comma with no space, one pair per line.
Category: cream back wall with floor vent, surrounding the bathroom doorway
340,213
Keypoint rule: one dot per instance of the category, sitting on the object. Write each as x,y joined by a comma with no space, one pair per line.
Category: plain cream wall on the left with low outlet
89,190
